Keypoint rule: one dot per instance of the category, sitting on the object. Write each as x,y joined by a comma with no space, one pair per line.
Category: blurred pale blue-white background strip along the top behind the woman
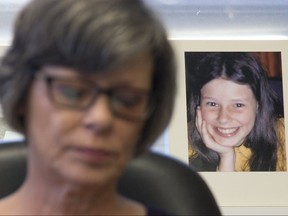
186,19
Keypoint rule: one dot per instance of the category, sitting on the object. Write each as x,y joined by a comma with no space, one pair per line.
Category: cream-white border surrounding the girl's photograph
231,189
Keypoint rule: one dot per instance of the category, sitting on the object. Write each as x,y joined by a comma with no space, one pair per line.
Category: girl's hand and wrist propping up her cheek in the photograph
226,153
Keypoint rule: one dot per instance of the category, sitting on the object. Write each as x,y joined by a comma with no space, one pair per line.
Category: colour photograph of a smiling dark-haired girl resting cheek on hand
235,116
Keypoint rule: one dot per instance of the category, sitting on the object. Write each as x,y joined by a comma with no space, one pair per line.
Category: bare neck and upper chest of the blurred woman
46,192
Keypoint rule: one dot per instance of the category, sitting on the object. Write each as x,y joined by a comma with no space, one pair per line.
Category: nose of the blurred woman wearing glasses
99,115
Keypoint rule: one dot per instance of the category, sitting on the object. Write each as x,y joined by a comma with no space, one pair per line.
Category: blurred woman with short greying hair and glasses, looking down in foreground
90,84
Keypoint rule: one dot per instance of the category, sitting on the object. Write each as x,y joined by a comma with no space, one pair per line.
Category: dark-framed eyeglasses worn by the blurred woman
125,102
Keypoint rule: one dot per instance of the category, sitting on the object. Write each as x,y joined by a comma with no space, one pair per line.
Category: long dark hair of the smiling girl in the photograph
242,68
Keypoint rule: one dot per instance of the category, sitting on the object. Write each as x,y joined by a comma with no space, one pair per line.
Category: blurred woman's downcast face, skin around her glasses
92,145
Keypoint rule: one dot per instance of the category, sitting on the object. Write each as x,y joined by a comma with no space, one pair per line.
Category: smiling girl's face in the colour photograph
229,110
